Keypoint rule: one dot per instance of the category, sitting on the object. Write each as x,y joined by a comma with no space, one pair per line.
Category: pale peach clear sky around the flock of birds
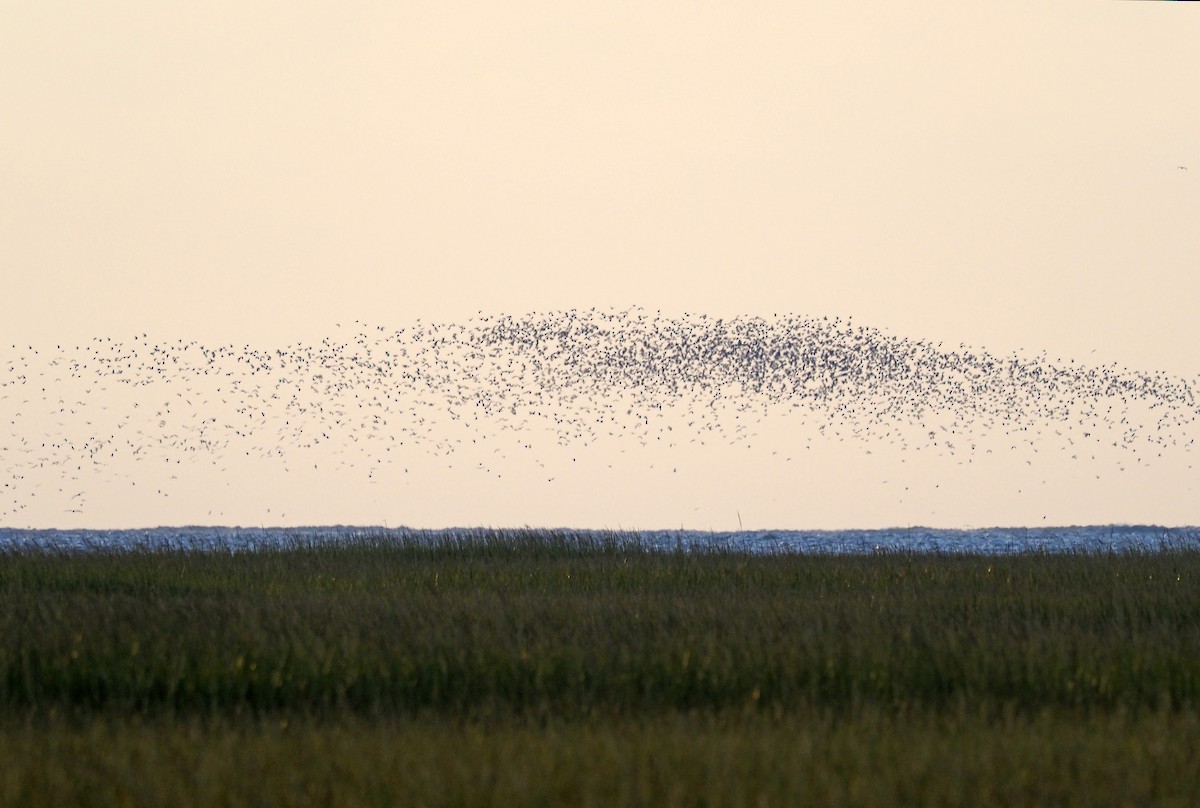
1019,176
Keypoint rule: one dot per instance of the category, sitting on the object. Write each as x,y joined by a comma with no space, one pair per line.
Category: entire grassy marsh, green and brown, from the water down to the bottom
549,669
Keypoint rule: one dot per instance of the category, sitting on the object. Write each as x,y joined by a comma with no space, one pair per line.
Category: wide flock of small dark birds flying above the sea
373,396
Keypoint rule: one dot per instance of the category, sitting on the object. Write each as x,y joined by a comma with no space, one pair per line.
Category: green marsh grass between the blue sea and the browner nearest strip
509,626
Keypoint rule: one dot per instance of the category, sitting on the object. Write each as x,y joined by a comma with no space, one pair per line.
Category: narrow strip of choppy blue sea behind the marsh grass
1109,538
